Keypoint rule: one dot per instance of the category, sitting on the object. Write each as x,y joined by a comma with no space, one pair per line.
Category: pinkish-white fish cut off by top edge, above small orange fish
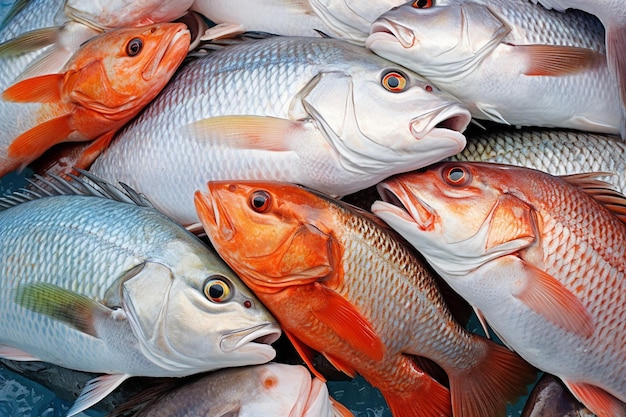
124,13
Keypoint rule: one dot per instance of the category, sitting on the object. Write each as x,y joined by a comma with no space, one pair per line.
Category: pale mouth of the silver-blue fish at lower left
256,339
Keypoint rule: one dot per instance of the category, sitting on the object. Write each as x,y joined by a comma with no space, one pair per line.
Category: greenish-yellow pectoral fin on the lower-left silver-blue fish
74,309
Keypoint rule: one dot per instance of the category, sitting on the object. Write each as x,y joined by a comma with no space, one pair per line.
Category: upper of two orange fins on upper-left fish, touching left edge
42,89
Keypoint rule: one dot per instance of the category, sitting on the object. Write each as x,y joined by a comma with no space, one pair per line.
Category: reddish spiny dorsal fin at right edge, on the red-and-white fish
601,191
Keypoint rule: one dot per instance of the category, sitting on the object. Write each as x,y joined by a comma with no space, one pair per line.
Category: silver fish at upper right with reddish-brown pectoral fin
510,61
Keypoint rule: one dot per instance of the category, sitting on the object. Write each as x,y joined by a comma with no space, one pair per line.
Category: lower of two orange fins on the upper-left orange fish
34,142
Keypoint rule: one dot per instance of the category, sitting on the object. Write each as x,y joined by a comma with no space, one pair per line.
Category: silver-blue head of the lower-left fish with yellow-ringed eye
191,313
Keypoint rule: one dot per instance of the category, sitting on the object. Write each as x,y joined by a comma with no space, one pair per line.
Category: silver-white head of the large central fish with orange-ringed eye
382,119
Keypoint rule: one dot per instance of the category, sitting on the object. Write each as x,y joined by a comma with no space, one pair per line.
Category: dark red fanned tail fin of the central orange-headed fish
484,390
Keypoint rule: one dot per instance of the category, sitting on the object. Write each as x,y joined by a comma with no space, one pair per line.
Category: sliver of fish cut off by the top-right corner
613,16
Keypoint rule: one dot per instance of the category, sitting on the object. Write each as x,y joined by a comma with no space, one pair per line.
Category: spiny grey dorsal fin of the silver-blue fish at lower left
83,184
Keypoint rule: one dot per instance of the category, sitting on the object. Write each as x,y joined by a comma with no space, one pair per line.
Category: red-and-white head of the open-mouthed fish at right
458,215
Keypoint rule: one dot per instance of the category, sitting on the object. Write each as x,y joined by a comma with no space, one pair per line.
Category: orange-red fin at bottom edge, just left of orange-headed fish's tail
429,400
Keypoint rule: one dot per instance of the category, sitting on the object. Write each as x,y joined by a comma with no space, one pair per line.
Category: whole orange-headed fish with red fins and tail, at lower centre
341,284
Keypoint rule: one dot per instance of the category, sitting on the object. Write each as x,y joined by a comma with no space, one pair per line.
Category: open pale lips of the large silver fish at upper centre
448,122
